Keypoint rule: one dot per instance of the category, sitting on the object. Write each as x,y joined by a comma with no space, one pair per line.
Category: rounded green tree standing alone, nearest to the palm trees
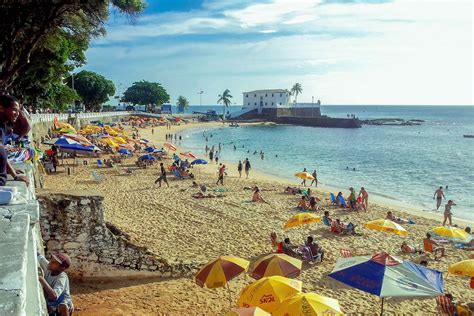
144,92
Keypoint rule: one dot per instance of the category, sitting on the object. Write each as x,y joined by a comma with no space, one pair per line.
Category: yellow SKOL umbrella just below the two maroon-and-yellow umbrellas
268,292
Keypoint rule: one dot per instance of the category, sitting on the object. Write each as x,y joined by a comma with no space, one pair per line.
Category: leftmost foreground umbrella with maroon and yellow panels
218,272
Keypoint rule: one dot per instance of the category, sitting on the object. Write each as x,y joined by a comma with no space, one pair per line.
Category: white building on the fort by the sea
271,98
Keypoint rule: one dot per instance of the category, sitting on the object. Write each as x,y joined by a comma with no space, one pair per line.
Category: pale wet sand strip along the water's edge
393,204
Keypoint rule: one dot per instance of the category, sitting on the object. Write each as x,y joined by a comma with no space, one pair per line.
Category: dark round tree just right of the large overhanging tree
94,89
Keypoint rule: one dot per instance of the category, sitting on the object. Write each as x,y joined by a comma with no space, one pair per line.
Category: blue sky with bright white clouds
376,52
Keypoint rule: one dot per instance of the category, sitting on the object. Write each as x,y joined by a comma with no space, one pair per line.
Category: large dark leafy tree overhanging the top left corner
43,42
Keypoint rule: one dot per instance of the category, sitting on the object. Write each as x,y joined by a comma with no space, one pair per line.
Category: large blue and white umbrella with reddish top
386,276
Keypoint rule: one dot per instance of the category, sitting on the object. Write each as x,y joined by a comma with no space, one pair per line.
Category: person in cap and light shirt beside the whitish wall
55,283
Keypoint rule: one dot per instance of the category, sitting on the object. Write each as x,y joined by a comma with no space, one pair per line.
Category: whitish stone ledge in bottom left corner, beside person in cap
14,233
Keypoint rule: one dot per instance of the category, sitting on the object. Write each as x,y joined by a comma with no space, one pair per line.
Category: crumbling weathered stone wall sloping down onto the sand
74,223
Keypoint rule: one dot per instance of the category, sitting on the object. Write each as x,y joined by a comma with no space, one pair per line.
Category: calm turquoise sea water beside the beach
404,163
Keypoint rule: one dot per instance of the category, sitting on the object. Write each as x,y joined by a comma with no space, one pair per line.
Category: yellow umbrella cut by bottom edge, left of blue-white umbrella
308,304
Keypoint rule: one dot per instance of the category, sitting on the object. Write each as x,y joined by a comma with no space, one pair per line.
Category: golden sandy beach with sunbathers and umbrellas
177,227
